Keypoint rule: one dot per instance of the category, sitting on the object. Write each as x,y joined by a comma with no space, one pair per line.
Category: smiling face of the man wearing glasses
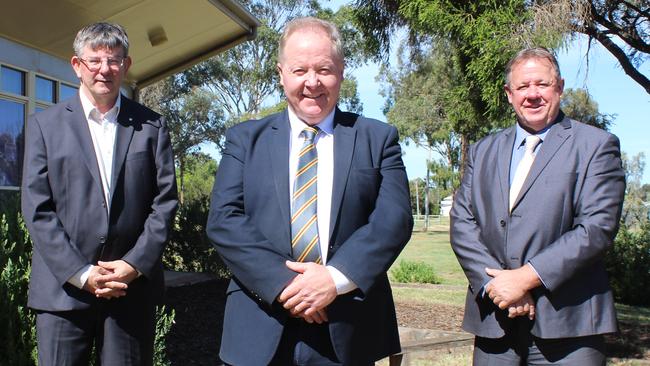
101,86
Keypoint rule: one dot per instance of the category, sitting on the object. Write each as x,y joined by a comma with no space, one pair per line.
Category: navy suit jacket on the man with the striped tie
249,223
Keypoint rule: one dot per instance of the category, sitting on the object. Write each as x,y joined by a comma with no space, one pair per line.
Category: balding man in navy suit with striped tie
325,300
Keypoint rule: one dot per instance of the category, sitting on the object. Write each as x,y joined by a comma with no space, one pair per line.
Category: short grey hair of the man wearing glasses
101,35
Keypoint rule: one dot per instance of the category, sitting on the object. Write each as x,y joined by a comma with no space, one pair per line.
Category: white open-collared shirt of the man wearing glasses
103,129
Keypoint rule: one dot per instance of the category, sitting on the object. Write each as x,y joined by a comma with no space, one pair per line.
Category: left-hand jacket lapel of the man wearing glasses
79,129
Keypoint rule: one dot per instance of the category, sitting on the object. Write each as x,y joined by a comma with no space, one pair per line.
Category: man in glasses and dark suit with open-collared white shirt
98,196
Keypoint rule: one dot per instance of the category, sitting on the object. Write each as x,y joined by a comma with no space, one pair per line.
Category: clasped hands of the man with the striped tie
309,293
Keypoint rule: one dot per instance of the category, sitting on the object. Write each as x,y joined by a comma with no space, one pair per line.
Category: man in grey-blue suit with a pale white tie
538,206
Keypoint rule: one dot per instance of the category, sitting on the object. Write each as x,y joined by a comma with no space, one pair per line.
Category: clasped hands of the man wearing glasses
110,279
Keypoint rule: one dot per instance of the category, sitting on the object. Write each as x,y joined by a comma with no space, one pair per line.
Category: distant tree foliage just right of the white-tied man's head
577,104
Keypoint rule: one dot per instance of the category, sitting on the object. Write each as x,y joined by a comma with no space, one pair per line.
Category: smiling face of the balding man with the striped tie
311,74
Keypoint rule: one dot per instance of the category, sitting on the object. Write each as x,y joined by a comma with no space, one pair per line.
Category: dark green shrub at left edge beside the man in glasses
17,332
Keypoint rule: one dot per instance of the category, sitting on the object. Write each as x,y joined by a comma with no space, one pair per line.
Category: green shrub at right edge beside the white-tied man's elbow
628,265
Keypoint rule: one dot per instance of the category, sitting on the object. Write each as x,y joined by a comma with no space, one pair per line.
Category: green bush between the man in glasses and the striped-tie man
189,249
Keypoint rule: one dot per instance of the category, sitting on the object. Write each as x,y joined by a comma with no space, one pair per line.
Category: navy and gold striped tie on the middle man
304,224
